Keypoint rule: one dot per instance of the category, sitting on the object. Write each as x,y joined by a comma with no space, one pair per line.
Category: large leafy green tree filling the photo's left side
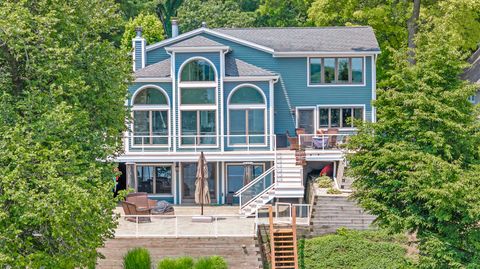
62,93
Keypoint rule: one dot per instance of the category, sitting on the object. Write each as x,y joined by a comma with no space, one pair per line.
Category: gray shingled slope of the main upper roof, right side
309,39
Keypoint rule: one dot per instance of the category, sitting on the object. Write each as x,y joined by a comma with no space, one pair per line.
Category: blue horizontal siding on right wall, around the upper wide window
293,71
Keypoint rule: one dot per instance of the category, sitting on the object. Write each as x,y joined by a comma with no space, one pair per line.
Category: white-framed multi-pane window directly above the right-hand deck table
339,117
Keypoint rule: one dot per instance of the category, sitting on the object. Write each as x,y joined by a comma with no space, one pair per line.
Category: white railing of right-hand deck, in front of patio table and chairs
322,141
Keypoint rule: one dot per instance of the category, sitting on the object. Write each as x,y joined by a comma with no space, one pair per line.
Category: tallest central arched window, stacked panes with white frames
198,104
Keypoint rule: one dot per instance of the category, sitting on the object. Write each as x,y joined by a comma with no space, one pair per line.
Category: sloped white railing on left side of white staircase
256,187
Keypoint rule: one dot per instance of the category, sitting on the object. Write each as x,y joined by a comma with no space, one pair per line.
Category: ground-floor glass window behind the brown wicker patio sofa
154,179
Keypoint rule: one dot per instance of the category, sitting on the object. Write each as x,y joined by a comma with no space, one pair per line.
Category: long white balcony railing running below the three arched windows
198,142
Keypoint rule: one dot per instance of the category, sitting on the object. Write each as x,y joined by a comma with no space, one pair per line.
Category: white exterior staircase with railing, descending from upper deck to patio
284,180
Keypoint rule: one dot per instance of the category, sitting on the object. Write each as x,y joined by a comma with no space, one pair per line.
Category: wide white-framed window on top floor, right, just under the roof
324,71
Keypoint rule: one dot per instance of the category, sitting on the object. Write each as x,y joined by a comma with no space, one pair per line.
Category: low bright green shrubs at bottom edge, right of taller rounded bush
212,262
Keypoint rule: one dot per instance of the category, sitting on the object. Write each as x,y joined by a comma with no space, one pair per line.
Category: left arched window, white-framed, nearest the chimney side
150,118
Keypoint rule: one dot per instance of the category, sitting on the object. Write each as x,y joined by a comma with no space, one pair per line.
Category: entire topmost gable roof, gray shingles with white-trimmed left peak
291,40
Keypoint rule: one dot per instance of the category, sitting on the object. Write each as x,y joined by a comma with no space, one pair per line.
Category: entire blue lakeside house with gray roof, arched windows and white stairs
269,107
